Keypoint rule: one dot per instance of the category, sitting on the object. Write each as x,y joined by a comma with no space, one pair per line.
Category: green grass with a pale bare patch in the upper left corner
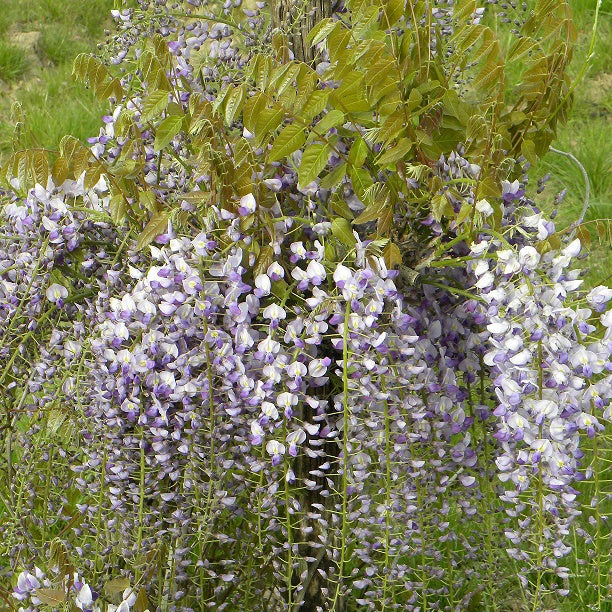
38,41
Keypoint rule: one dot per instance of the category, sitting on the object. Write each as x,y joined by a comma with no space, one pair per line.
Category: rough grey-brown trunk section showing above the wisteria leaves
295,19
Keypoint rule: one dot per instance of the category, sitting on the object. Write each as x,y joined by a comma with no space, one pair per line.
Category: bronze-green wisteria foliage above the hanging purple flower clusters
390,92
